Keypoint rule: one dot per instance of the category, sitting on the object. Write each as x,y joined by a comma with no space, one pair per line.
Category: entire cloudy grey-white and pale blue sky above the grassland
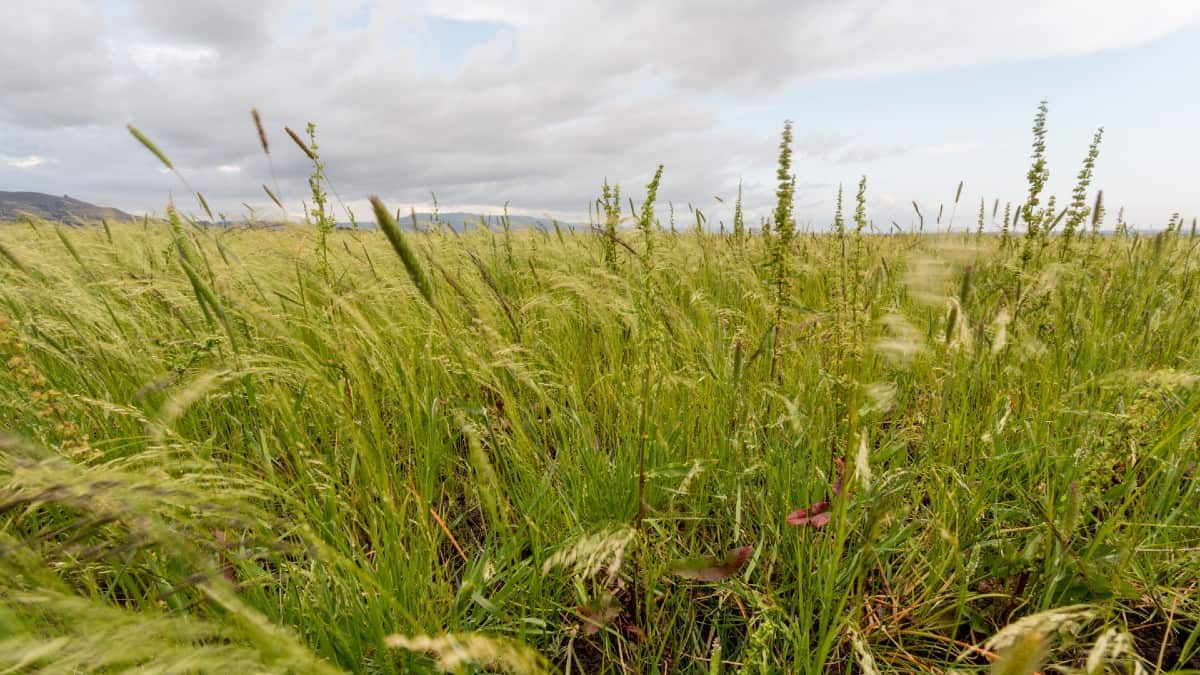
536,104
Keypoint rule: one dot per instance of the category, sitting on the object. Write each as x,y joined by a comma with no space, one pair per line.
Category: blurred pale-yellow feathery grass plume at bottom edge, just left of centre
455,653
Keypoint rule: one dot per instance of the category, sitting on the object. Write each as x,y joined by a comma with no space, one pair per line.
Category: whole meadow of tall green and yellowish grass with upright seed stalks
637,449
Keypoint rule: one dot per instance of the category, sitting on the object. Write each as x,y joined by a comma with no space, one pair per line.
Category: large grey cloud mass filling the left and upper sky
559,97
